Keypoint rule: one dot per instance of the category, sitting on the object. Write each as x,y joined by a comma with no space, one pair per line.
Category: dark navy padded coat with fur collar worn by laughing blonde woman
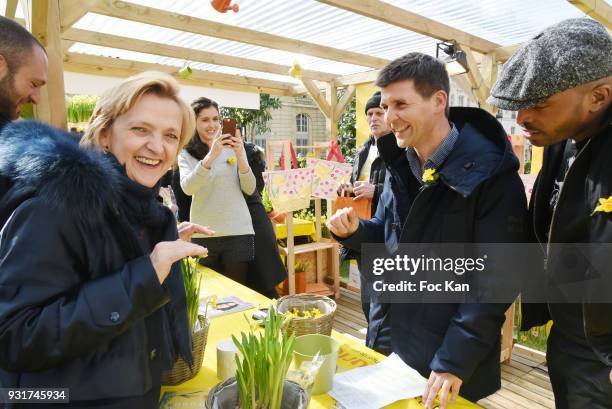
81,306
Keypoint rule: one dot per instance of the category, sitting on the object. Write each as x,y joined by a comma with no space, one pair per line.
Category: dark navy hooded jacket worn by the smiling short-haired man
478,199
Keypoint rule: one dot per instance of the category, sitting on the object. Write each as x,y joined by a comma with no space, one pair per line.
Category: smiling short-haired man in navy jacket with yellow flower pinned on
478,198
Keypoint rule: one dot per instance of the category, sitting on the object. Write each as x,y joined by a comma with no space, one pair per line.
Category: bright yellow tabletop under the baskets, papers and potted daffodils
224,326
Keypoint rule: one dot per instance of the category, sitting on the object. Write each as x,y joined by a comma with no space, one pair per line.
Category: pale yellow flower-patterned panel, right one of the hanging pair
327,176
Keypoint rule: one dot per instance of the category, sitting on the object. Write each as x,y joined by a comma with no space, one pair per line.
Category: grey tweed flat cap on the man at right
566,55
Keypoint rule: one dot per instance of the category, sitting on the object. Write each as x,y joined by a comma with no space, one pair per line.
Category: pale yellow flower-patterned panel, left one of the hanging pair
289,190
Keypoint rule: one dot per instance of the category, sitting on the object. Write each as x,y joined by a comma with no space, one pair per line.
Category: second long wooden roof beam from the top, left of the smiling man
147,47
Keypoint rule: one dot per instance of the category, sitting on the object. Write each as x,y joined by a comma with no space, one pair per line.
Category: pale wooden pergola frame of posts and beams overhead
52,22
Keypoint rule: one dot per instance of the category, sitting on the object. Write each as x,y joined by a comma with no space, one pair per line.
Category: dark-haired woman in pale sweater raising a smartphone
214,170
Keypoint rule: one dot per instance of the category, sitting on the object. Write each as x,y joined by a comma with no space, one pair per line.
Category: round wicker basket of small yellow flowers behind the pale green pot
303,326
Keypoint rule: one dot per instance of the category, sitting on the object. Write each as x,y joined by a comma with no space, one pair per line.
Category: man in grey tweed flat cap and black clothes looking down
560,82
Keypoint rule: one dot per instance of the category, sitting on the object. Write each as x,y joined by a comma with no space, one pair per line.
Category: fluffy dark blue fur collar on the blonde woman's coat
42,161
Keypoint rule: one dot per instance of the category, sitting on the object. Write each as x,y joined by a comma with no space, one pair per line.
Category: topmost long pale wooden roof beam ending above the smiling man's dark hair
148,15
